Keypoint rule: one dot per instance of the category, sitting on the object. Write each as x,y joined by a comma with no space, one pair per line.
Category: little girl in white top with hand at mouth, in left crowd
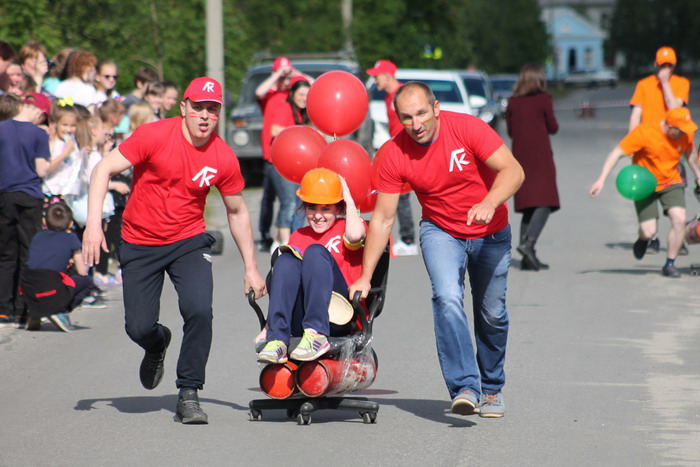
65,156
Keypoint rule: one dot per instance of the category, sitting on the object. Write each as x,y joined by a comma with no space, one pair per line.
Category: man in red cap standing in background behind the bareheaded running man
384,72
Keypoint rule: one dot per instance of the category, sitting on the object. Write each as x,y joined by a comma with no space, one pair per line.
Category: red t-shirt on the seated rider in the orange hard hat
349,261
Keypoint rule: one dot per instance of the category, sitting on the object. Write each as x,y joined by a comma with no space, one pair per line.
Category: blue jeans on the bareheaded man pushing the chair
486,260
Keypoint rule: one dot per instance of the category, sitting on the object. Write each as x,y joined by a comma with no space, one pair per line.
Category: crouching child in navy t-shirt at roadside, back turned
56,249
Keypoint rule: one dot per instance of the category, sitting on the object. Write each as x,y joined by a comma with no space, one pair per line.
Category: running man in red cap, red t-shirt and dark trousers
175,162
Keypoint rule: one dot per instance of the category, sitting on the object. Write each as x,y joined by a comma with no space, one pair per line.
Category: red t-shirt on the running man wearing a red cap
171,182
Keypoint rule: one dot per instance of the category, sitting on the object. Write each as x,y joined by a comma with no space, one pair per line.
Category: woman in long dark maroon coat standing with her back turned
530,119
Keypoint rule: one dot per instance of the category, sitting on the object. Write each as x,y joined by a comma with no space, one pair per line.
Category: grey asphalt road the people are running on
602,360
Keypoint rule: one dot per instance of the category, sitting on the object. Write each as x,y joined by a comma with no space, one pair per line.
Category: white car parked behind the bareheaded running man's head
448,87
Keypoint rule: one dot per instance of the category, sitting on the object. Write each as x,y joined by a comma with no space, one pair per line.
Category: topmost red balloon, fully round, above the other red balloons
337,103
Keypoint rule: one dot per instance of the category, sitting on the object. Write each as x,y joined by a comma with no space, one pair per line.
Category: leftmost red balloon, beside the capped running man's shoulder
295,151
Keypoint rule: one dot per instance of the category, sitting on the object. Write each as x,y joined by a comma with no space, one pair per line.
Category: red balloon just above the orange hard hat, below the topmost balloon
349,159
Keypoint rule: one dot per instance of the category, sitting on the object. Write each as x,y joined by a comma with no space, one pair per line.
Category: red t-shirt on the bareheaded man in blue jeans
449,175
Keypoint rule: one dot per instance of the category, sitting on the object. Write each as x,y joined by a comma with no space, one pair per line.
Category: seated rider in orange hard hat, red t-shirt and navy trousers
320,259
